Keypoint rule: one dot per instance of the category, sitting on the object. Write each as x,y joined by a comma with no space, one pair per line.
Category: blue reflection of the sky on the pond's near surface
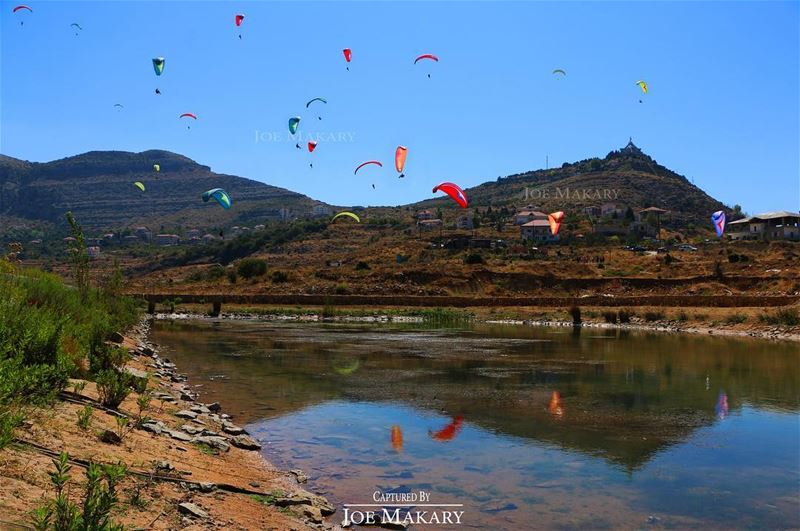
726,472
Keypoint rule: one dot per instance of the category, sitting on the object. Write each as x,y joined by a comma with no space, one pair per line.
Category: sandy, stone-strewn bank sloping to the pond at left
189,465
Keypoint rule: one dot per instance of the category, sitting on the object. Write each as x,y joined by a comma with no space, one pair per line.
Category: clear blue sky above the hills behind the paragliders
722,106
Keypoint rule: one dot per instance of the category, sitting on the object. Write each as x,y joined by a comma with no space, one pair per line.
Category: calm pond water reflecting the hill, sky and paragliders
528,428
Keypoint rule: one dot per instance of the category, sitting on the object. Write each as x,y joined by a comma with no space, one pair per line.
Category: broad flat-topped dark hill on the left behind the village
98,188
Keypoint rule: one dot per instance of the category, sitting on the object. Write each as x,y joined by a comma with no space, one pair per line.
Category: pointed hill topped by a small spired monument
627,176
